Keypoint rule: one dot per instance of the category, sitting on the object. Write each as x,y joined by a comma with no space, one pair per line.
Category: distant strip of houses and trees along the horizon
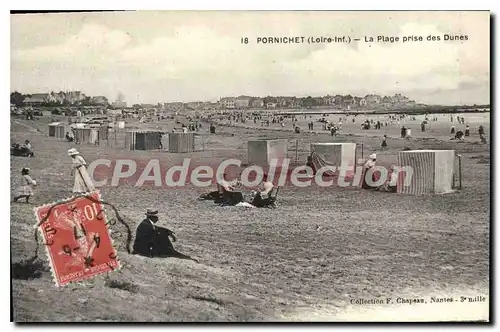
73,101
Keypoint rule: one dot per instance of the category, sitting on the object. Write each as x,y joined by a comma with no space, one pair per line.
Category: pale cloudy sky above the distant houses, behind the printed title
165,56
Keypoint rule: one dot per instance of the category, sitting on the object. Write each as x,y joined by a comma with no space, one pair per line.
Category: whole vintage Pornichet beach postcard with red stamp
255,166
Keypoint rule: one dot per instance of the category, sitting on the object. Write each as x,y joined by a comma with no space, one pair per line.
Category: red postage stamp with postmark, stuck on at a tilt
77,239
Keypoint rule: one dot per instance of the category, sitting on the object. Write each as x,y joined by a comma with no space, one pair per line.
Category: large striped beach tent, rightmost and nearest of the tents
431,172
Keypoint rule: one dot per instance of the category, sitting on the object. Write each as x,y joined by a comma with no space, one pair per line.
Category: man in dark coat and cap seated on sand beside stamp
153,241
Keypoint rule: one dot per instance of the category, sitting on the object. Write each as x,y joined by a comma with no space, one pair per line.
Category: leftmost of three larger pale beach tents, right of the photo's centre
262,152
